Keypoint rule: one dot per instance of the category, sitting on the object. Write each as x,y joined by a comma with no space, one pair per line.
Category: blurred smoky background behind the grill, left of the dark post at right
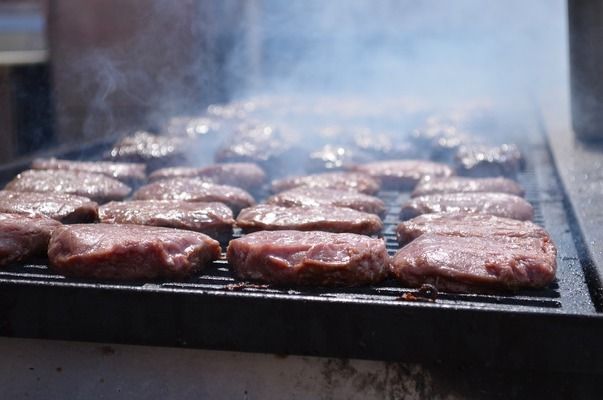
73,71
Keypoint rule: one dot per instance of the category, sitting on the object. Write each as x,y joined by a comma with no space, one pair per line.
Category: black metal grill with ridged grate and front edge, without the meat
558,327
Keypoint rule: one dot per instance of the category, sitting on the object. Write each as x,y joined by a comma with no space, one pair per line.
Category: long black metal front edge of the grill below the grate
281,326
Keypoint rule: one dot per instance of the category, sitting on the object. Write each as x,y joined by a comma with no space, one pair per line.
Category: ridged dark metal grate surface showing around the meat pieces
568,294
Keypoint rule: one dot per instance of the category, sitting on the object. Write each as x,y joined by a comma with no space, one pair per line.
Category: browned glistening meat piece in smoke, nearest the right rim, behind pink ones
482,161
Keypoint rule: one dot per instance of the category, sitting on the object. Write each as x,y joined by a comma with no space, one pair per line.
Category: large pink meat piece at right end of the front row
468,264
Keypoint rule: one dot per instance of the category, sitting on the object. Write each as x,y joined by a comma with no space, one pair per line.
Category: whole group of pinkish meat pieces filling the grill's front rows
460,233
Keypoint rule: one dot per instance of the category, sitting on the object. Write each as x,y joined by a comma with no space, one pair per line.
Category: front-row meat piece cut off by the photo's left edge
23,238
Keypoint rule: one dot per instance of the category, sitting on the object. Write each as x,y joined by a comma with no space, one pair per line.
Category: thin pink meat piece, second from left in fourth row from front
248,176
